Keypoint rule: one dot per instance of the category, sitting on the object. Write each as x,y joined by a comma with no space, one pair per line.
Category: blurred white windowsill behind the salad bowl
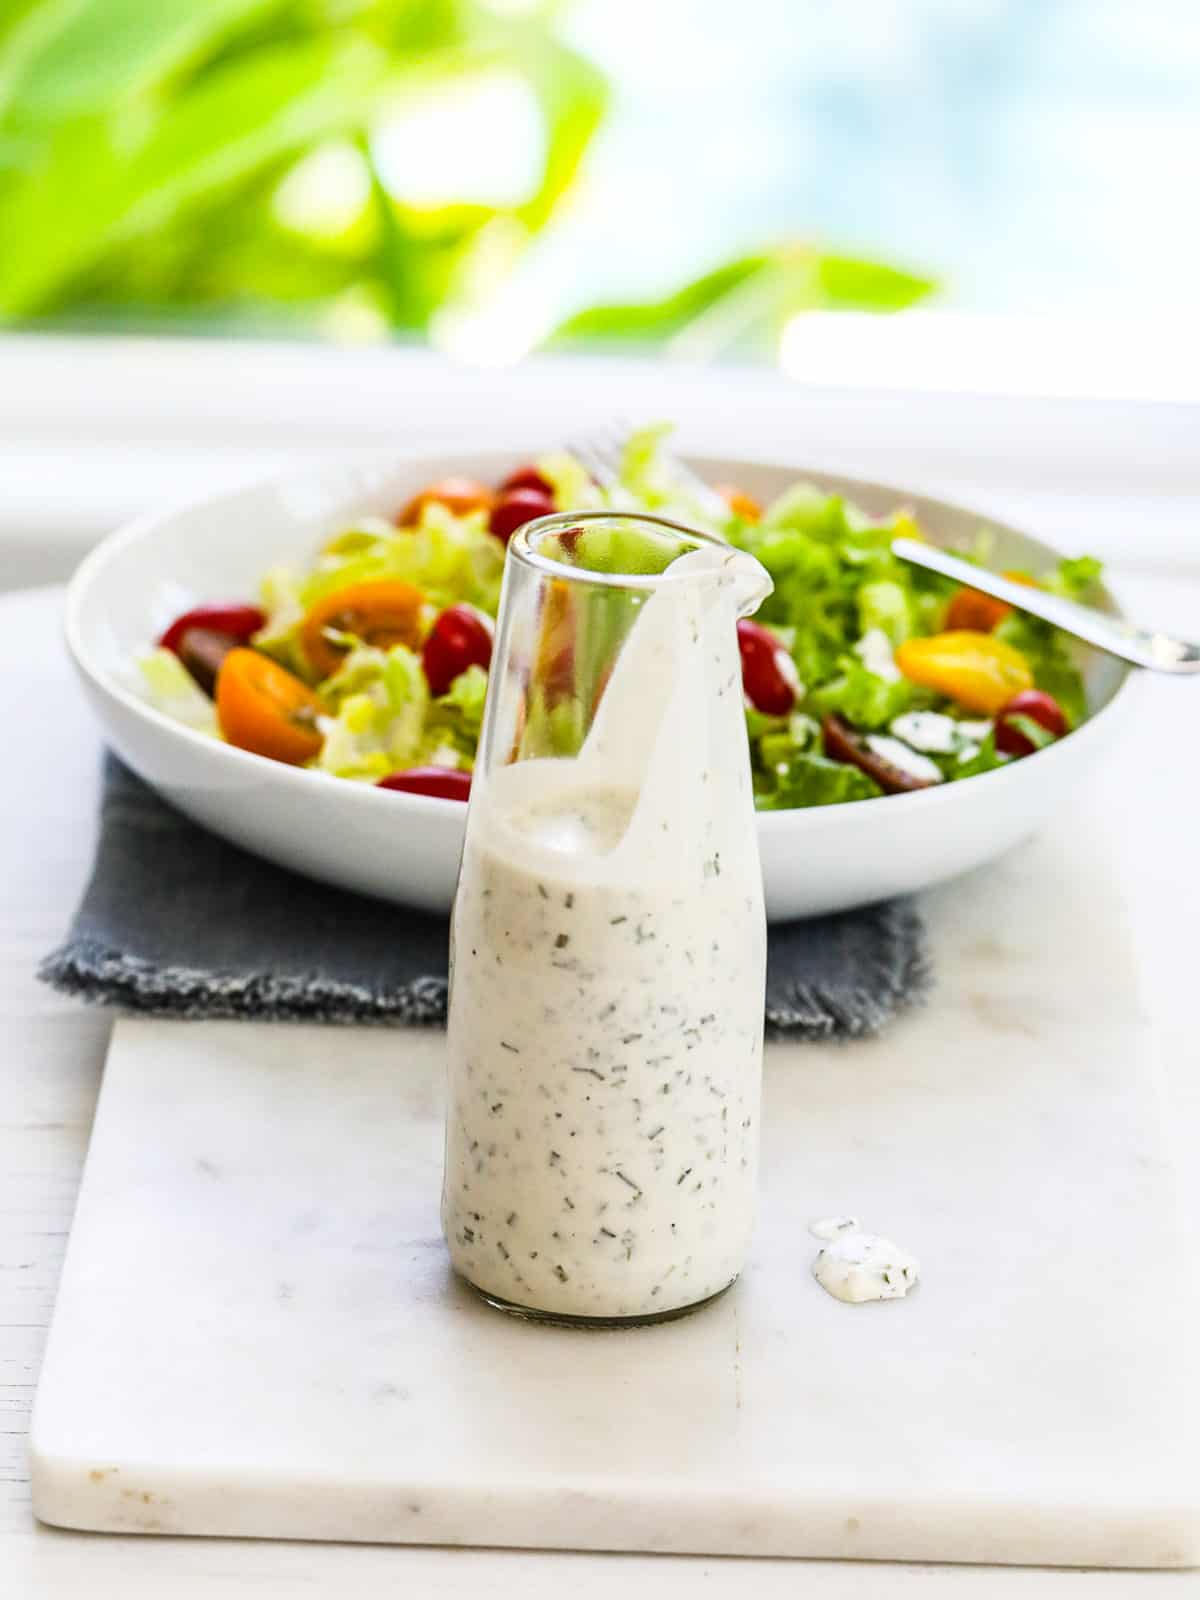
98,430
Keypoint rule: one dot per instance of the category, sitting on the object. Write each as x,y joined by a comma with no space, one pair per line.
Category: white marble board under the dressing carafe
258,1332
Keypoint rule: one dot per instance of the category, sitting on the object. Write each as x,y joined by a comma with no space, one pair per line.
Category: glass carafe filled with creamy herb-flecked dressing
609,938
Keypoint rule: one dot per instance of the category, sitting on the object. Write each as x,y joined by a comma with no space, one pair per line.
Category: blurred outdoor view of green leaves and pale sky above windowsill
482,172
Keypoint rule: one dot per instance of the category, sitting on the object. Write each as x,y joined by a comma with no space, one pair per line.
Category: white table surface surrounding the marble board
52,1054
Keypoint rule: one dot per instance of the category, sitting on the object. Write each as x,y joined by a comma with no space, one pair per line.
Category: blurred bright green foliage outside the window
143,146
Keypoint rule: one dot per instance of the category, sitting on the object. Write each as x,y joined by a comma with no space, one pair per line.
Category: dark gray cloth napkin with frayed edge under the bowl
177,922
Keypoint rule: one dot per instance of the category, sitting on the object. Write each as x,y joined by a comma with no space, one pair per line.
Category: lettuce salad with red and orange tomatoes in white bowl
863,676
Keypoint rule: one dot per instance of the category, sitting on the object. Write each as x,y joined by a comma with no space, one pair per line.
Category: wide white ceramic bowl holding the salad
406,847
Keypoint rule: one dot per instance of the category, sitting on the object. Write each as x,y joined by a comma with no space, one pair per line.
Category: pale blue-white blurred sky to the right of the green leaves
1036,156
